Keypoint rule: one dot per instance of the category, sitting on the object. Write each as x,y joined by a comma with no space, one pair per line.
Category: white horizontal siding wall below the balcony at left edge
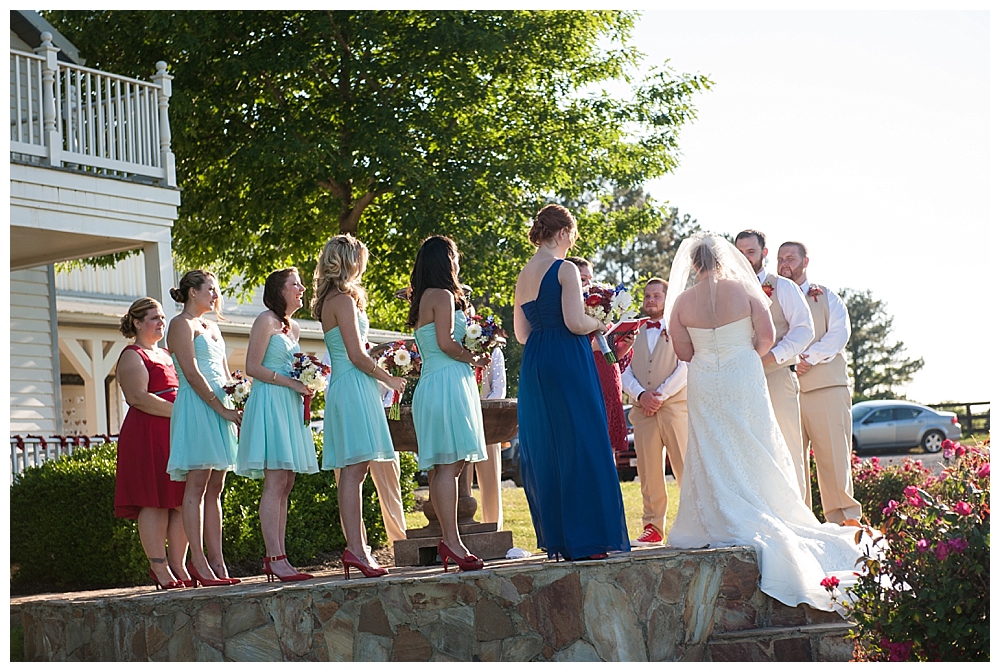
32,374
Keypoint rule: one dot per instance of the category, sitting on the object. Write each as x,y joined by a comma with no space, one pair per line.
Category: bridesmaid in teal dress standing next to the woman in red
202,423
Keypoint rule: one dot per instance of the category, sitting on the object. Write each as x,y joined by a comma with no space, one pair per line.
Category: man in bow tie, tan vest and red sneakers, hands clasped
656,381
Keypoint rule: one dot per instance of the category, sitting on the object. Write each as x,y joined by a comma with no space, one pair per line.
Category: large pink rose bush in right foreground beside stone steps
923,593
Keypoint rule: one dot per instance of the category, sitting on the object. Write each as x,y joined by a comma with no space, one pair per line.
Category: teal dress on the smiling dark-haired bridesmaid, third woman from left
273,435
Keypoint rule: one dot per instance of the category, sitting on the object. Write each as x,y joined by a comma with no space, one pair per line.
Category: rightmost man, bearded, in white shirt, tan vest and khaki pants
825,395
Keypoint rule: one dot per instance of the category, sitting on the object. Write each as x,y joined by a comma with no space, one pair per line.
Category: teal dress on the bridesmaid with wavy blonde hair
355,428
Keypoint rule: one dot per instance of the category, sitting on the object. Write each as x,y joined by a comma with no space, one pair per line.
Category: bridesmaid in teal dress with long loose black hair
447,414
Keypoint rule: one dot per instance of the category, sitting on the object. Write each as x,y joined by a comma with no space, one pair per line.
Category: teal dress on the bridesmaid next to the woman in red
199,437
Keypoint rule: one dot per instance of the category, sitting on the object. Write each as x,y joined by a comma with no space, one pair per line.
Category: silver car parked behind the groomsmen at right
901,424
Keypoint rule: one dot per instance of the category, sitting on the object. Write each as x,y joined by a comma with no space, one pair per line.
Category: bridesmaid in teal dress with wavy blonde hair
355,429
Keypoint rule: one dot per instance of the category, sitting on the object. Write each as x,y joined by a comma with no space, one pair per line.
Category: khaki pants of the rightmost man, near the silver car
826,427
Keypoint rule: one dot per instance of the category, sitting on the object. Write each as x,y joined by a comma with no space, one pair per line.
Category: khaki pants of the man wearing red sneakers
656,437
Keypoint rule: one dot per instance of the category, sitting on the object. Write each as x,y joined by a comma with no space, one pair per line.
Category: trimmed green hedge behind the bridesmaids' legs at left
64,534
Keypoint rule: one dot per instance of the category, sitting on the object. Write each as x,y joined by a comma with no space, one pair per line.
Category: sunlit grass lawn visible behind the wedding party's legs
517,519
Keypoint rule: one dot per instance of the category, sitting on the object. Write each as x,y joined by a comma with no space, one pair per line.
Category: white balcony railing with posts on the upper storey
69,115
